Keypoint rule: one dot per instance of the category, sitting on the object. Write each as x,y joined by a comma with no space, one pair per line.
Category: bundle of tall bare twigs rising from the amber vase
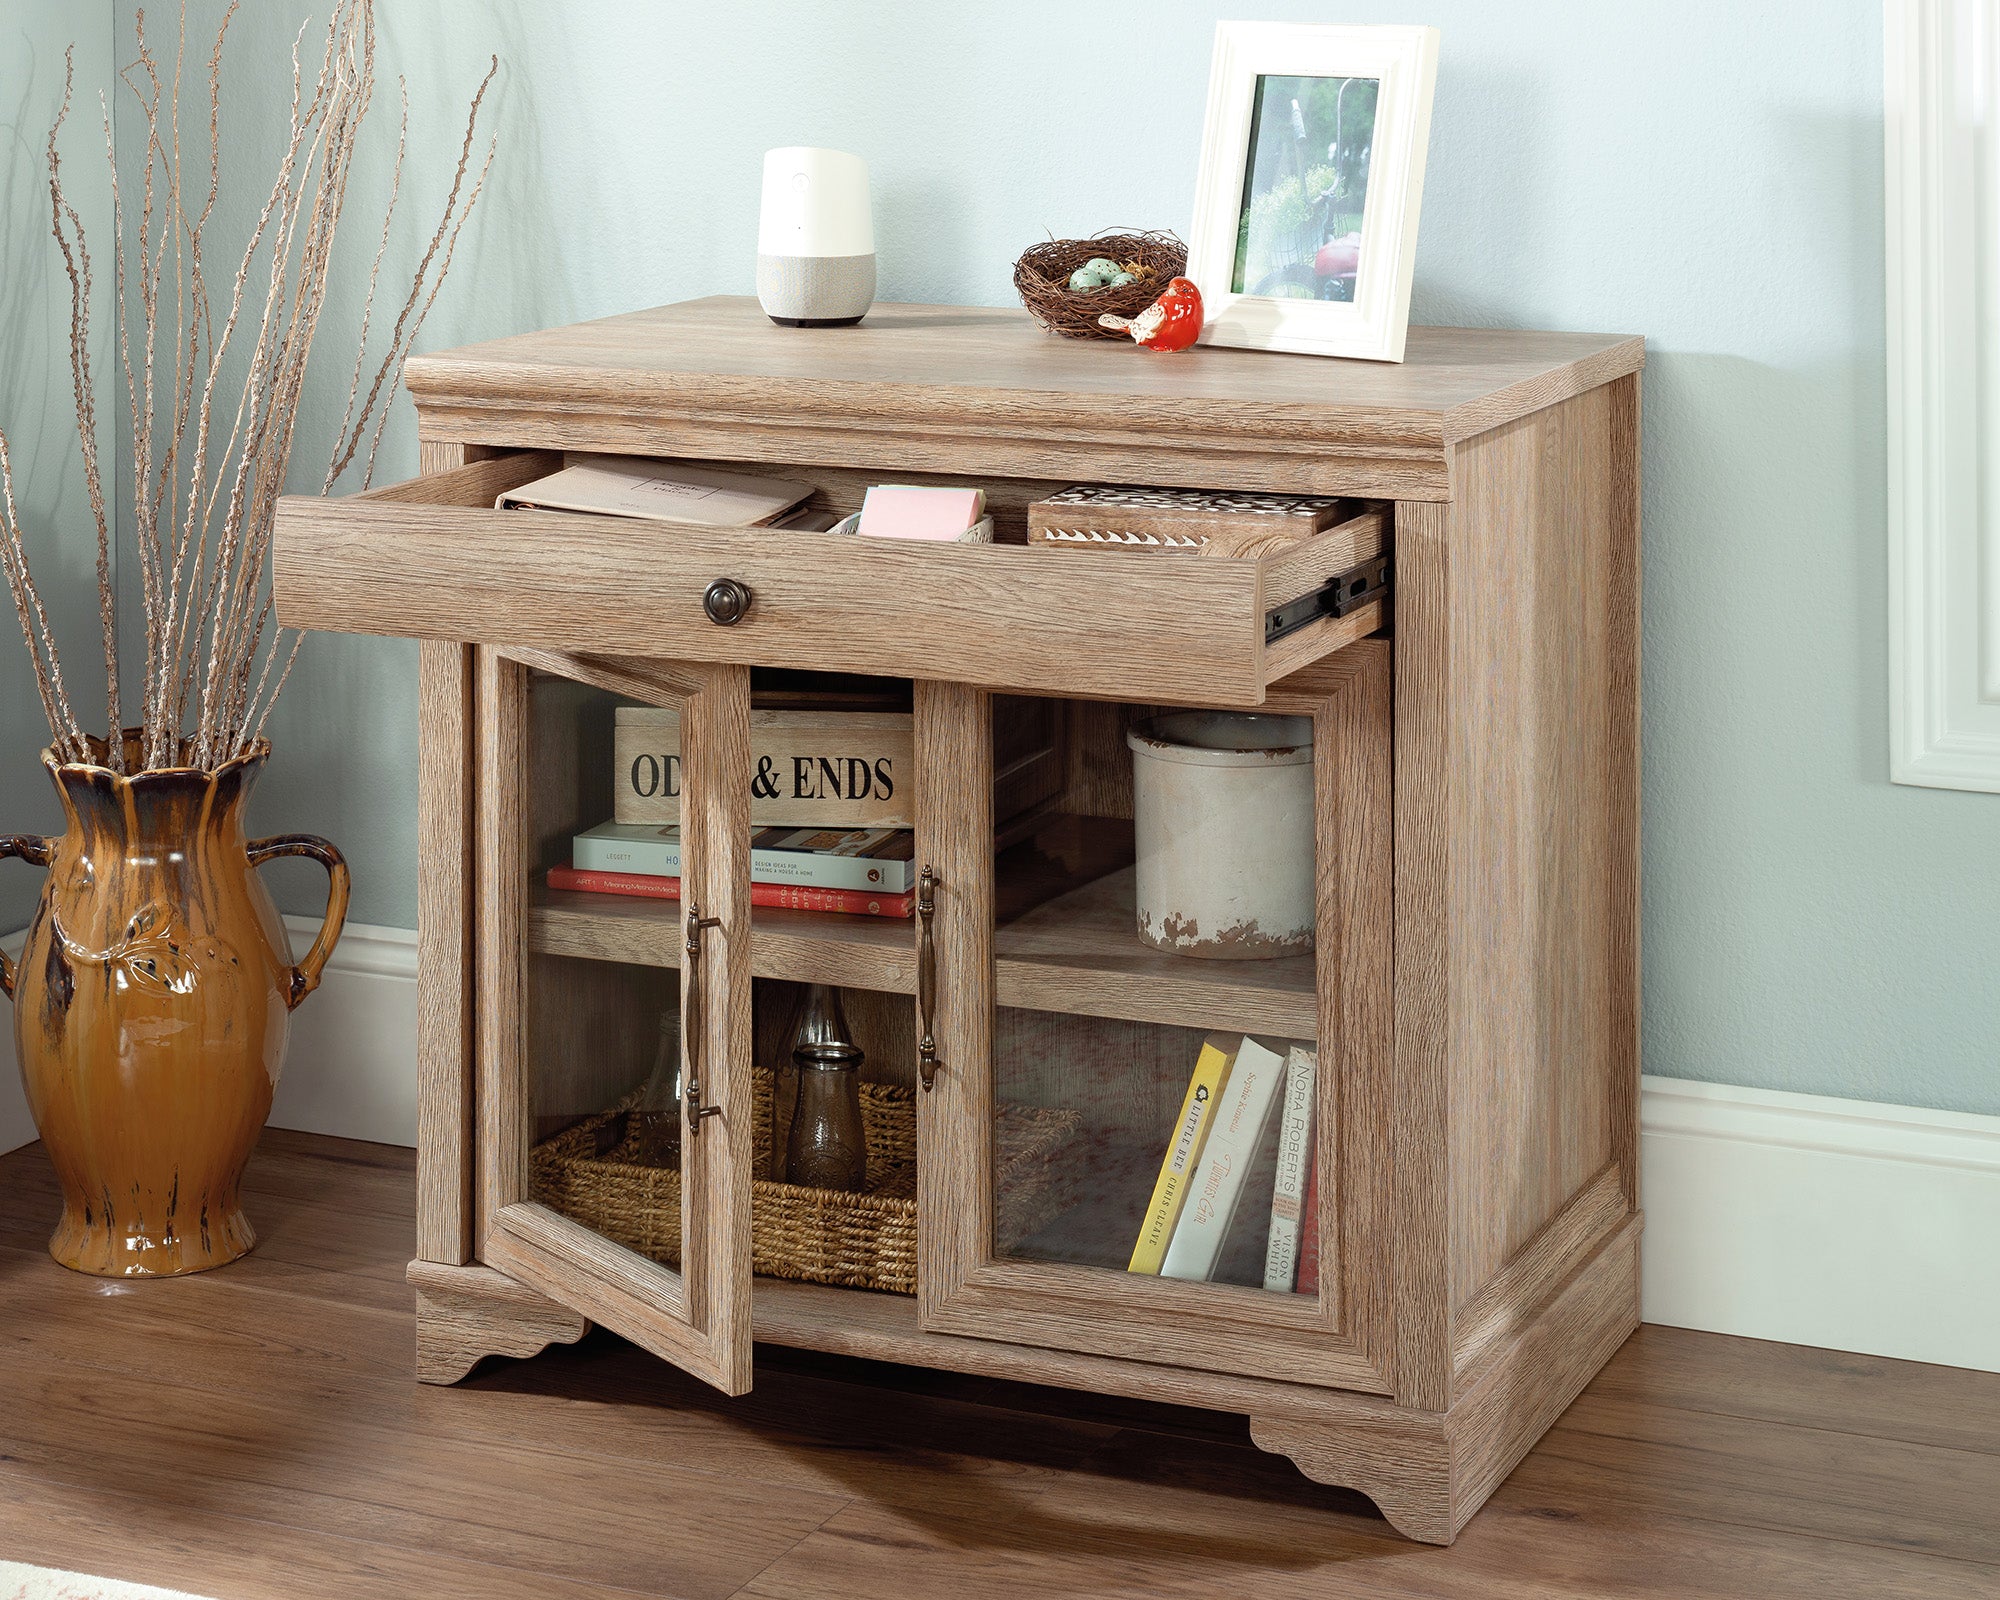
211,451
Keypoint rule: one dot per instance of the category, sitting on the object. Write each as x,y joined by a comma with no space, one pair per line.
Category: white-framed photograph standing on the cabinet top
1313,175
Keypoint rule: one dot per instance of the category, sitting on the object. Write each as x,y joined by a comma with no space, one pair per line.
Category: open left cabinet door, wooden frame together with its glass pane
615,1021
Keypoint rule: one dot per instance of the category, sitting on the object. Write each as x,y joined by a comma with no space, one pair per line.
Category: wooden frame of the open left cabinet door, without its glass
697,1319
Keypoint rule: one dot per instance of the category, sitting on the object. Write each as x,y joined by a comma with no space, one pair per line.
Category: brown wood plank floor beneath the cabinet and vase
257,1433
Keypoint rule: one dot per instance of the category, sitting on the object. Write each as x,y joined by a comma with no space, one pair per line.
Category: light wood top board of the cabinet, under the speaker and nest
1453,383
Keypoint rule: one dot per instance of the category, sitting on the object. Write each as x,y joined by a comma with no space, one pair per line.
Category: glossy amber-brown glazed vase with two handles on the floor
153,1003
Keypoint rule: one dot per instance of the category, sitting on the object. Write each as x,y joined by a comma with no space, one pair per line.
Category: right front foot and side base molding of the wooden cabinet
1431,1471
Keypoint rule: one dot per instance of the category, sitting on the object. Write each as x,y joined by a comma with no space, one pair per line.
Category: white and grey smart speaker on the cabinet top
815,239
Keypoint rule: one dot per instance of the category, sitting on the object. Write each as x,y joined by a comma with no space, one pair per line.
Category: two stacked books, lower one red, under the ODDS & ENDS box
861,871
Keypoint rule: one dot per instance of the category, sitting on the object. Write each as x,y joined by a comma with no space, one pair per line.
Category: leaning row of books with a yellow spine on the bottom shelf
1245,1129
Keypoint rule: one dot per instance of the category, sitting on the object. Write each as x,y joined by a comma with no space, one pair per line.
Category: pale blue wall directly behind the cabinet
1701,173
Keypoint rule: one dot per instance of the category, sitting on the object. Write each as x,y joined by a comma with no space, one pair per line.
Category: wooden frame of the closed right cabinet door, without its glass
1341,1339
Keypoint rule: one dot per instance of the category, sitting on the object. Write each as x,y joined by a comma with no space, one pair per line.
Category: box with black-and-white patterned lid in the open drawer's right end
1177,521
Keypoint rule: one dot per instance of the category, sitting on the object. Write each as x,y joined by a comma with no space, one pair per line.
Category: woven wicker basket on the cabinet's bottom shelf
825,1237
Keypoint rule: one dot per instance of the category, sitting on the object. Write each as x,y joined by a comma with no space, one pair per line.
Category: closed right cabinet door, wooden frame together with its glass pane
1161,1017
